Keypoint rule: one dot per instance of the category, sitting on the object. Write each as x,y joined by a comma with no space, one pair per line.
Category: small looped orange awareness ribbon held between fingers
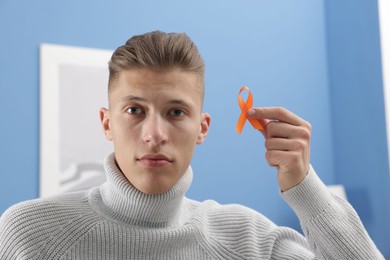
245,106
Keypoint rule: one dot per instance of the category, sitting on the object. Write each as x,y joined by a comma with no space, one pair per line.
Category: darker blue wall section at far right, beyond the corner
357,106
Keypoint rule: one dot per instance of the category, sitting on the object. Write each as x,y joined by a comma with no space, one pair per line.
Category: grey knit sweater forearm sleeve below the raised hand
330,224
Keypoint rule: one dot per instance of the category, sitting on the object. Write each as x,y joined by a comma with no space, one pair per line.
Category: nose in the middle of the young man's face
154,130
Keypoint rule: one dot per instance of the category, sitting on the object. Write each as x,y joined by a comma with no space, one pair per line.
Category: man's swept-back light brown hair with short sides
159,52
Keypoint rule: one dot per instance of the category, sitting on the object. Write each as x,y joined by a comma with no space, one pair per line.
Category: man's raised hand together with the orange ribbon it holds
287,139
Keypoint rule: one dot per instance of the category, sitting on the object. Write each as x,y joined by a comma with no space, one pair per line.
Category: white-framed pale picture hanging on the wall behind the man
73,87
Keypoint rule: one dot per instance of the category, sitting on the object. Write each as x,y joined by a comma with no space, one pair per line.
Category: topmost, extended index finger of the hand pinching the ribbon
276,113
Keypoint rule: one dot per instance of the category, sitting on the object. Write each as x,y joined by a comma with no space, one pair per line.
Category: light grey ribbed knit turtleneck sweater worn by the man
116,221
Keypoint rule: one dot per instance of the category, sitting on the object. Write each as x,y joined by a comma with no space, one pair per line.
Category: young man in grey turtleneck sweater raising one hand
155,119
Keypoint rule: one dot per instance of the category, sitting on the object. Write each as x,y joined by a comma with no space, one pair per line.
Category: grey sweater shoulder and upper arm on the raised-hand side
242,231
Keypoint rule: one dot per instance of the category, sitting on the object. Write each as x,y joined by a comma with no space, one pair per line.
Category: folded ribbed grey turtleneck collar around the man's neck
121,201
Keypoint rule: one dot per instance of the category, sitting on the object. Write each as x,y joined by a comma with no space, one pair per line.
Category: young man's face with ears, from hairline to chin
154,120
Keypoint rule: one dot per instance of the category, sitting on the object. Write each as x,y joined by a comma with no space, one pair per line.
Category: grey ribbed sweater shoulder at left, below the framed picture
28,225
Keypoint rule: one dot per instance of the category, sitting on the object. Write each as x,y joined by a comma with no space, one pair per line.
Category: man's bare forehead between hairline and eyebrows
150,84
